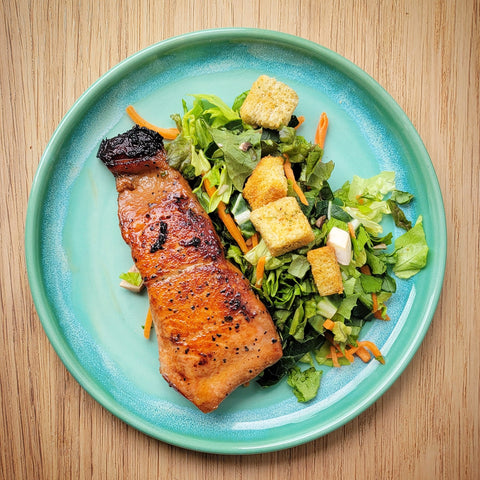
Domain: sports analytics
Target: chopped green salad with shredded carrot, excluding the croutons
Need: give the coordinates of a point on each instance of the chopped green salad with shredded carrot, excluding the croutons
(216, 149)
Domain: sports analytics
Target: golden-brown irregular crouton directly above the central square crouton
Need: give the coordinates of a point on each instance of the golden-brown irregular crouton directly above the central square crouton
(267, 182)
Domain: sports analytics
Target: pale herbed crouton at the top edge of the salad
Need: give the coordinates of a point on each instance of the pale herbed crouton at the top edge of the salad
(269, 103)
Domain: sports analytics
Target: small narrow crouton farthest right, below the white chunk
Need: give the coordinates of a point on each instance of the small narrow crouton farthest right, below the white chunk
(325, 270)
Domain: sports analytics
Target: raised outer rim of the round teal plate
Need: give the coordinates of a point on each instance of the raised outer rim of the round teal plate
(33, 258)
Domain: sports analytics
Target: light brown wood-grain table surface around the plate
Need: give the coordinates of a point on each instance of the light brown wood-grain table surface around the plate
(426, 55)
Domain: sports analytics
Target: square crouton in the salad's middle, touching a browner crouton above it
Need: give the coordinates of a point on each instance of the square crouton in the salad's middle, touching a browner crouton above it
(282, 225)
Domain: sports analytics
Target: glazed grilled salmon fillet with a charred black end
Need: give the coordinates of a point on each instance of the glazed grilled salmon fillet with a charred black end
(213, 333)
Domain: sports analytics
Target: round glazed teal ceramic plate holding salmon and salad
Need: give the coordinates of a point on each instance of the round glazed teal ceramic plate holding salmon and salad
(75, 252)
